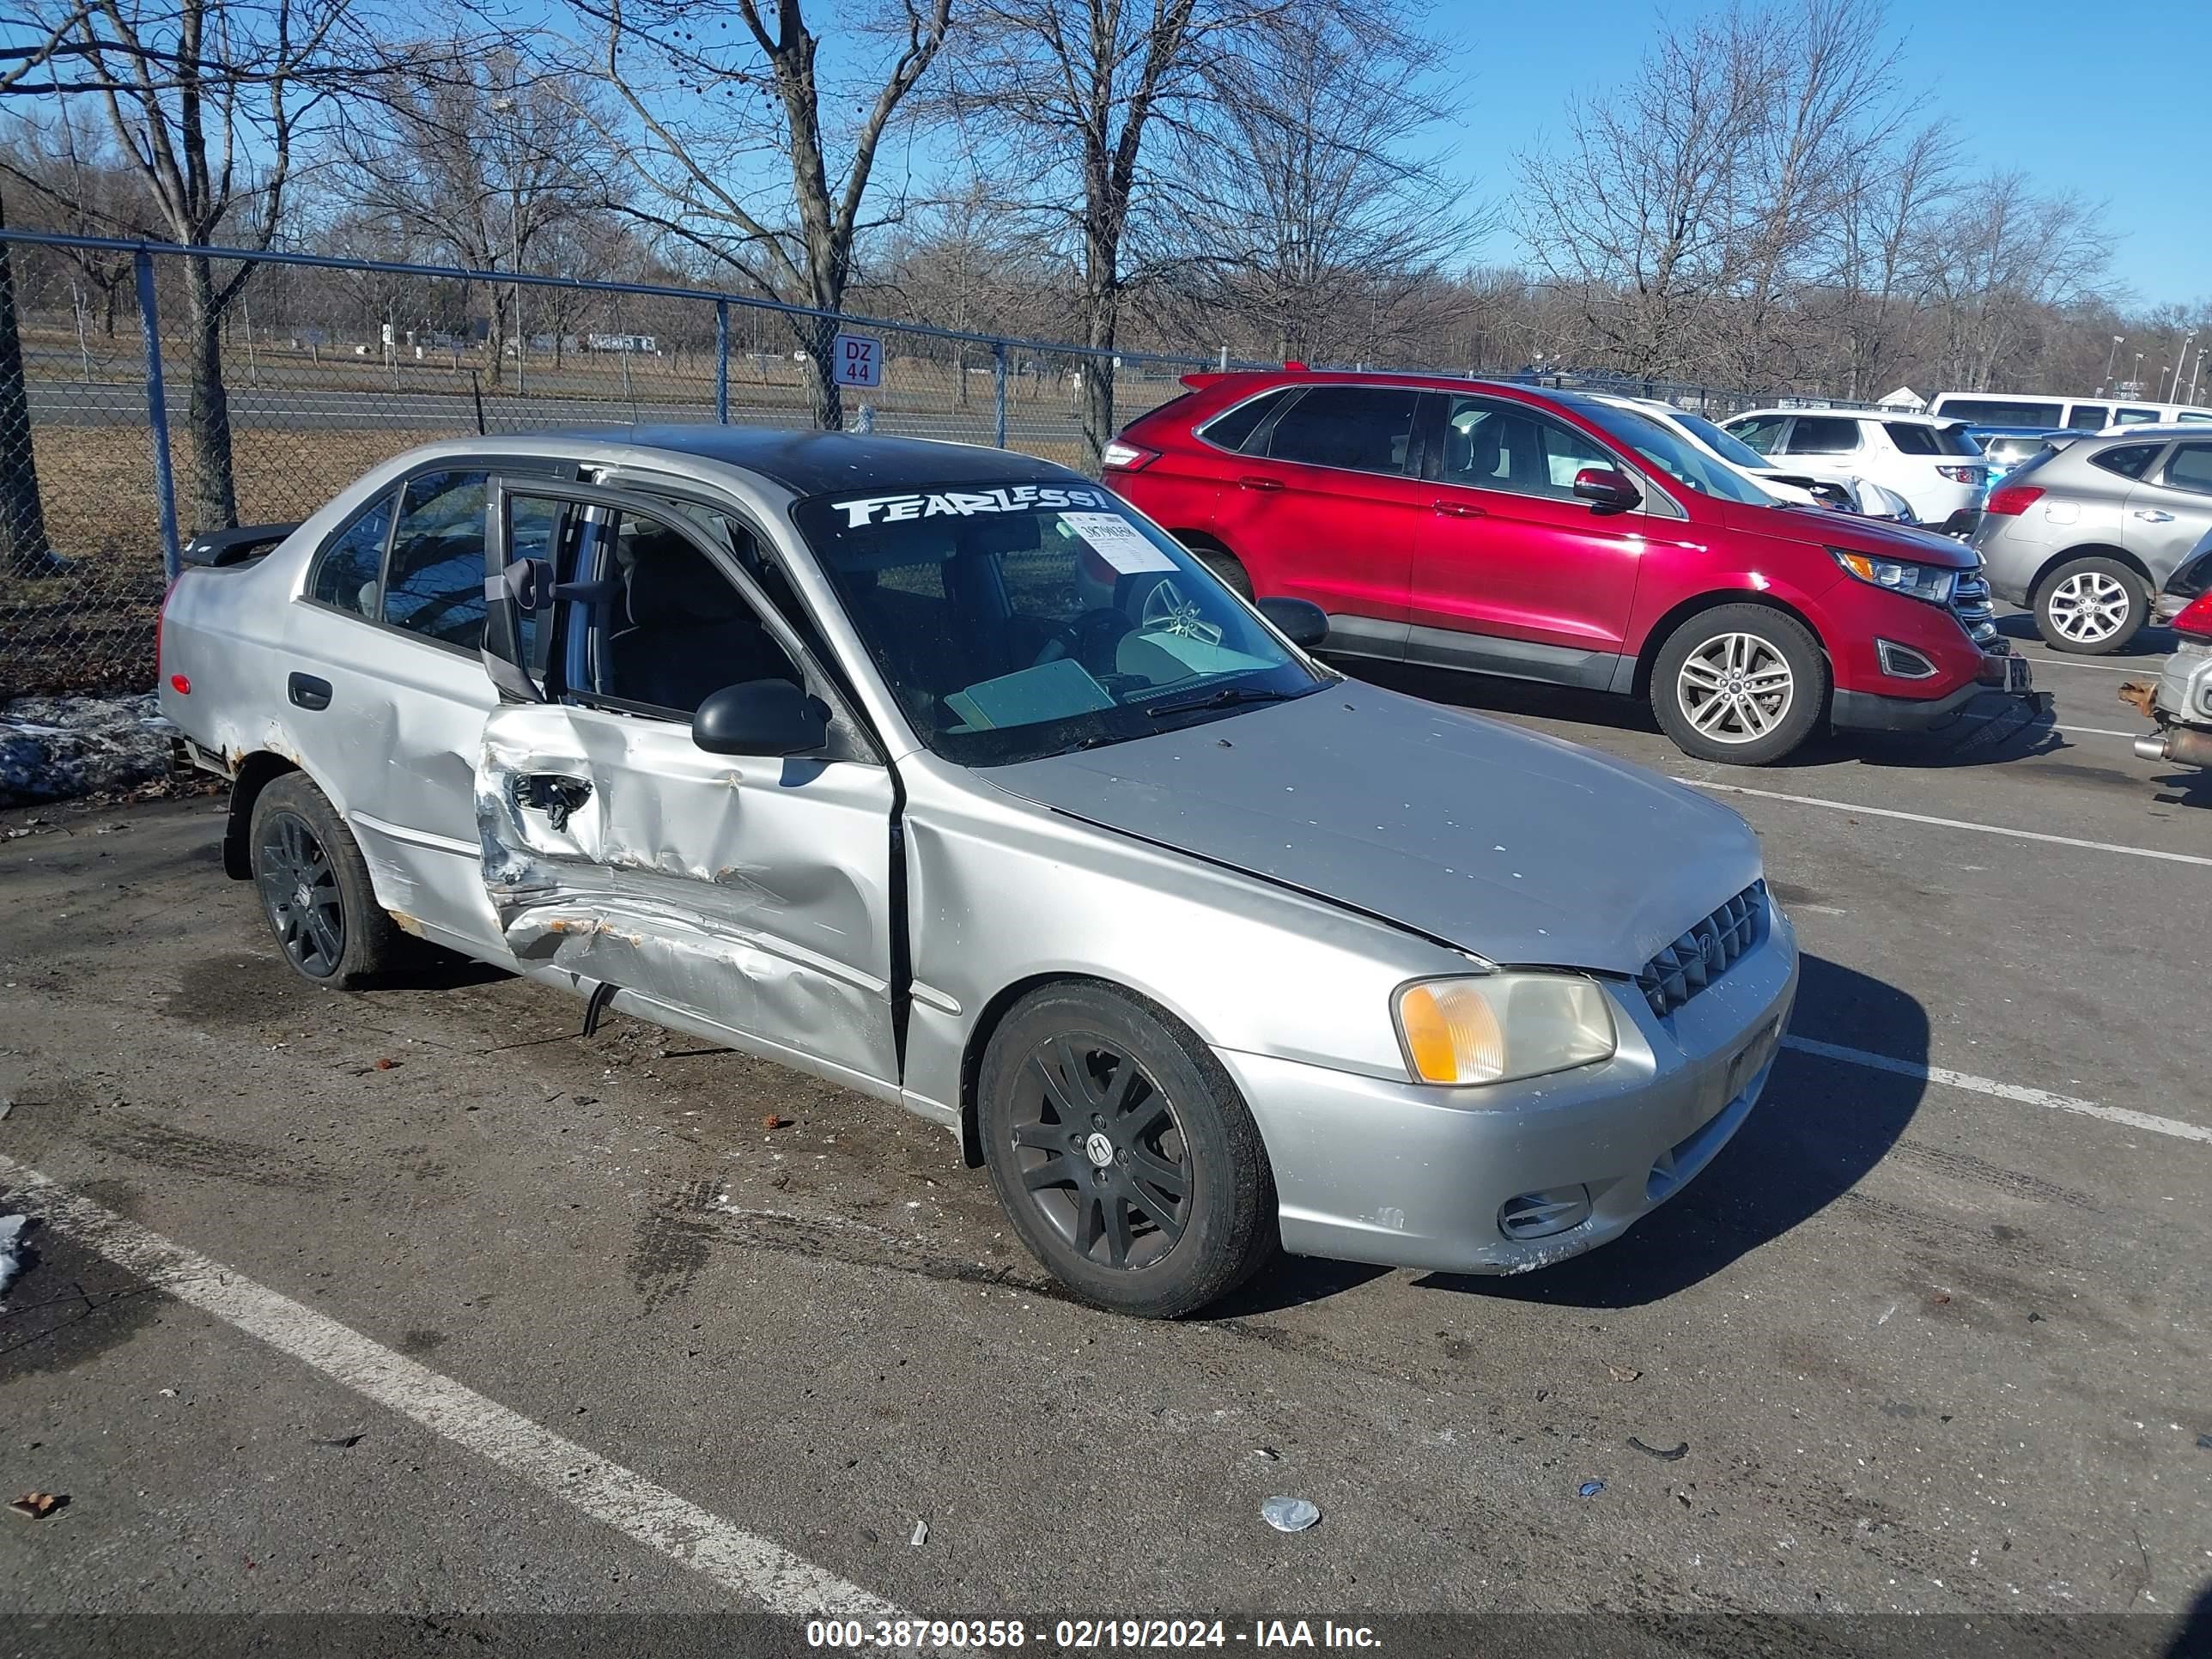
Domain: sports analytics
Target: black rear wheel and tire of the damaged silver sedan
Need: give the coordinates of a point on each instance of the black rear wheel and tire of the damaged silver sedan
(315, 888)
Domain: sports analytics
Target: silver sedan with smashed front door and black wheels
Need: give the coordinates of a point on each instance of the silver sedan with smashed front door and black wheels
(943, 775)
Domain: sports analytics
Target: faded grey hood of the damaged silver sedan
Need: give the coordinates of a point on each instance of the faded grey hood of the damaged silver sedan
(1501, 842)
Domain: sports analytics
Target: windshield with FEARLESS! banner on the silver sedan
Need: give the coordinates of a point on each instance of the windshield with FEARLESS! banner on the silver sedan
(1039, 618)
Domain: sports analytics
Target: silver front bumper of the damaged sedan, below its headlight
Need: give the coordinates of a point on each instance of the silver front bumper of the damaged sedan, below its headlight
(1415, 1178)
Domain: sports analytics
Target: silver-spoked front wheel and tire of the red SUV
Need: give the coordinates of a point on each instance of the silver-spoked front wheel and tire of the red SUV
(1742, 682)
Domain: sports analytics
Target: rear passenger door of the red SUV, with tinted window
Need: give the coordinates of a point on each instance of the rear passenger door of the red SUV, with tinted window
(1333, 508)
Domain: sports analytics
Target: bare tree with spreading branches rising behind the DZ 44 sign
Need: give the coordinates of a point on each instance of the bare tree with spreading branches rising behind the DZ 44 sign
(700, 116)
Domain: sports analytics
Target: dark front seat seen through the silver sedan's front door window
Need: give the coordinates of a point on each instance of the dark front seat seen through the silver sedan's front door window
(691, 634)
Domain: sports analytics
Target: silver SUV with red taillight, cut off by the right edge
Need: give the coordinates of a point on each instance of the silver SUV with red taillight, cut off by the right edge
(2087, 534)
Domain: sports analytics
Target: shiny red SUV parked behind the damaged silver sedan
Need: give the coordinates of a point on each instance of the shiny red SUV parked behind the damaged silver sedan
(1552, 536)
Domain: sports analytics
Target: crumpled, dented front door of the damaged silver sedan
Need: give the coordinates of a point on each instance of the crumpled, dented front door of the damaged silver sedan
(740, 897)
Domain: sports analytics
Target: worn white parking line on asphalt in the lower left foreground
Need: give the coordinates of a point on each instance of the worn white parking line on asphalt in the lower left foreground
(623, 1499)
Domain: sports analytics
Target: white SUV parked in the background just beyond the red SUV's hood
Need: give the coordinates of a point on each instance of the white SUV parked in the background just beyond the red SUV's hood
(1932, 463)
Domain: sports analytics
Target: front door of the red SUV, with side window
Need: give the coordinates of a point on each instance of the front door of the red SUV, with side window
(1512, 572)
